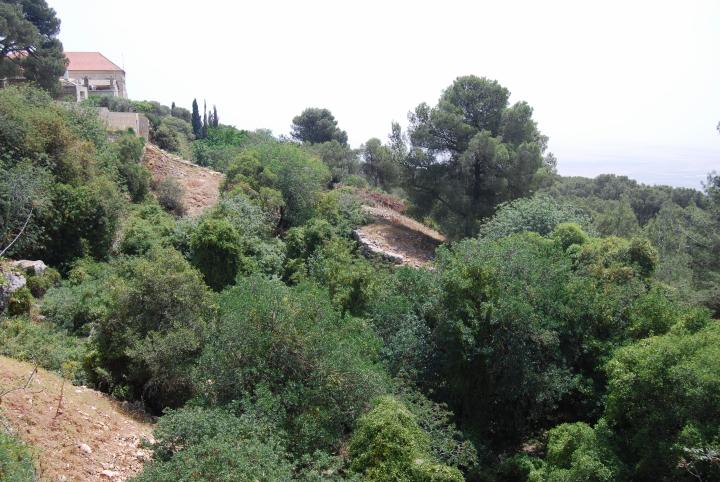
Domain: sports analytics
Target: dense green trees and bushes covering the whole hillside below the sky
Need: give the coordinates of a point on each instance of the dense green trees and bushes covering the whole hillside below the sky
(565, 334)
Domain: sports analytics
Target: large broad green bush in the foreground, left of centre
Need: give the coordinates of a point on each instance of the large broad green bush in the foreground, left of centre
(316, 369)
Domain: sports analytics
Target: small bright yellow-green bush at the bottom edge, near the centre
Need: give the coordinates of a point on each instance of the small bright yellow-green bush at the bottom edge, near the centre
(388, 445)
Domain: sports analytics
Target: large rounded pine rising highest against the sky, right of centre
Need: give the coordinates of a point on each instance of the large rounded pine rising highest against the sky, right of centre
(471, 152)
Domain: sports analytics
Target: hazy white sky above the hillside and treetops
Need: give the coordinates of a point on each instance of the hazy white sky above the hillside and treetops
(631, 87)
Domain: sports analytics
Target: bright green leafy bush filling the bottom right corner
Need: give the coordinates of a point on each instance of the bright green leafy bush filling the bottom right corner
(661, 404)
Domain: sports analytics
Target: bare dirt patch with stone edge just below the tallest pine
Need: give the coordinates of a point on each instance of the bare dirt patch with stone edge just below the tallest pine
(397, 237)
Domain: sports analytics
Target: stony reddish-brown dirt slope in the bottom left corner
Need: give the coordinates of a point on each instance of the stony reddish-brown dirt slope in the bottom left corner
(90, 438)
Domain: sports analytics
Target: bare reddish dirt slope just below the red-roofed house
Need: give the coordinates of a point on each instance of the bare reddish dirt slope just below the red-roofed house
(202, 185)
